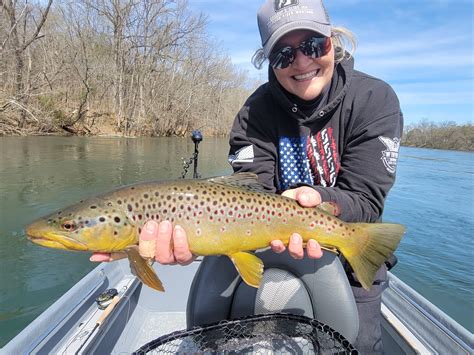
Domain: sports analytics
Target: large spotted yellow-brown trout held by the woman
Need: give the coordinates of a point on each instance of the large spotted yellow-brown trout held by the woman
(227, 215)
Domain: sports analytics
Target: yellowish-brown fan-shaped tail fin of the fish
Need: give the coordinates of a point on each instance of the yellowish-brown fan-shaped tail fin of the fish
(375, 242)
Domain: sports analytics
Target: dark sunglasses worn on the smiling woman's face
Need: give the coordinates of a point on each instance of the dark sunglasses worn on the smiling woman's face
(314, 47)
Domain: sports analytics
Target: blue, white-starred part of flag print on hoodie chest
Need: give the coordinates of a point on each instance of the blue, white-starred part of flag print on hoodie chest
(293, 162)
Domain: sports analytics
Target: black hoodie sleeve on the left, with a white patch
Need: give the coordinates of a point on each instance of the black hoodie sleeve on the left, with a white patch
(251, 144)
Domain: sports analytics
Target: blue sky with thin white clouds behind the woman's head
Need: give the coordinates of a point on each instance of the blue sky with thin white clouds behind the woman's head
(423, 48)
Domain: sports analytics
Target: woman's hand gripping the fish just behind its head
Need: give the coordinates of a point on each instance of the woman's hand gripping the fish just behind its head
(158, 241)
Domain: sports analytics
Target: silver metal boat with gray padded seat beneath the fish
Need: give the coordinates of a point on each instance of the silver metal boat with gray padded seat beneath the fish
(110, 311)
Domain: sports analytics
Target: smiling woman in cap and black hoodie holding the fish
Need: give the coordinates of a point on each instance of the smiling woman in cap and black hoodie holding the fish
(317, 131)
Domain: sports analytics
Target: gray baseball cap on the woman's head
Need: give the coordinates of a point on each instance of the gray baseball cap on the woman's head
(278, 17)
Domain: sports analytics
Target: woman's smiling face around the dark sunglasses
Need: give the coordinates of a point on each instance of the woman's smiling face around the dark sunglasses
(305, 77)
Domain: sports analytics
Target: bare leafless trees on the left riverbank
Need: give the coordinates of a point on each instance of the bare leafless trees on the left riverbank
(114, 67)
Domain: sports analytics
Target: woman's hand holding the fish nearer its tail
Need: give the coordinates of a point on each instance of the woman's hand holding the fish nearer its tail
(306, 197)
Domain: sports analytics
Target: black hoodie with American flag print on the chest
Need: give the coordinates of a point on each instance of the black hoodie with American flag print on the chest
(345, 146)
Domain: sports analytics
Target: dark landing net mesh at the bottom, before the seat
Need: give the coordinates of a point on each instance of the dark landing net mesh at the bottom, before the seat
(262, 334)
